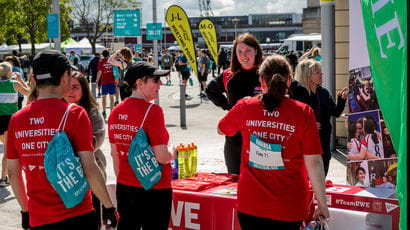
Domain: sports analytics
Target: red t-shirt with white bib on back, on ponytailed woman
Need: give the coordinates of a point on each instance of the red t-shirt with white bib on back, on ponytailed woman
(281, 194)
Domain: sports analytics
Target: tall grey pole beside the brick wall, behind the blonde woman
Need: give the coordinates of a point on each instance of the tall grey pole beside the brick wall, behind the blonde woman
(328, 55)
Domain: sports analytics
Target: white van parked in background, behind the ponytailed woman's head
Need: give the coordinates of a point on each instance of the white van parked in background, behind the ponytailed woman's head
(300, 42)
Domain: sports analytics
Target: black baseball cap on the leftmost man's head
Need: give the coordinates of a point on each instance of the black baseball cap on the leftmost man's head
(50, 64)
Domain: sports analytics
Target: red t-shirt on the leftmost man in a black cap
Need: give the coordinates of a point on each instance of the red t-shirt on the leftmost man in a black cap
(29, 132)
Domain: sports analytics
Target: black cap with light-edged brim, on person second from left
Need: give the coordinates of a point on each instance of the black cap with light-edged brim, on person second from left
(142, 69)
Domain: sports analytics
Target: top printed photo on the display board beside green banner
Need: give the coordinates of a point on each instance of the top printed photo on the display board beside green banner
(362, 95)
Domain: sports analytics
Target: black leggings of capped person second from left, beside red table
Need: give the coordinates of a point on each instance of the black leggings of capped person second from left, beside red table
(138, 208)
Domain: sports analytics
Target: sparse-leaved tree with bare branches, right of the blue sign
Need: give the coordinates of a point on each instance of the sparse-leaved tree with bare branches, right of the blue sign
(95, 16)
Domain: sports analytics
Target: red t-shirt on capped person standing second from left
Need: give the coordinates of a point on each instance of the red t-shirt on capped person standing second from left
(123, 124)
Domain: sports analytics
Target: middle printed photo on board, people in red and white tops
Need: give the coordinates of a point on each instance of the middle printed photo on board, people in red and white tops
(364, 136)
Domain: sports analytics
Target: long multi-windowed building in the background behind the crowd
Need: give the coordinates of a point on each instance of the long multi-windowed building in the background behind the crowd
(267, 28)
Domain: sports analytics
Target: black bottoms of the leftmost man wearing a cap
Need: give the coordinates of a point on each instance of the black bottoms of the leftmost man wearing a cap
(83, 222)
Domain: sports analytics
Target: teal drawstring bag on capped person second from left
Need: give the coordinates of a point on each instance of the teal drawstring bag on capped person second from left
(142, 158)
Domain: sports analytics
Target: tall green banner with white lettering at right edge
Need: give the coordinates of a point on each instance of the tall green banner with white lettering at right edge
(385, 23)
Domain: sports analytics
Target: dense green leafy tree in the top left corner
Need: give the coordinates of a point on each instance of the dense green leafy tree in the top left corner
(27, 19)
